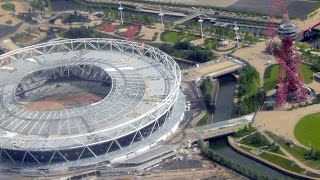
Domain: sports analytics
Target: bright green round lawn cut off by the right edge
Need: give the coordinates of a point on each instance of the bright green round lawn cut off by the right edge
(307, 130)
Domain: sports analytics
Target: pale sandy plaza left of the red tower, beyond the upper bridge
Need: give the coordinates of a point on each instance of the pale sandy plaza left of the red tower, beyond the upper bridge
(256, 57)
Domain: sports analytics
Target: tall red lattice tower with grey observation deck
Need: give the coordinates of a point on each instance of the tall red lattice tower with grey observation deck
(290, 84)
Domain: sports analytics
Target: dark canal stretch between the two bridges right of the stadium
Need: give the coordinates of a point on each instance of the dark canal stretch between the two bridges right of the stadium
(224, 103)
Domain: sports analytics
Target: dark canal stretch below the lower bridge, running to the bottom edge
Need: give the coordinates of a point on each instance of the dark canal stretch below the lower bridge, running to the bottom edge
(222, 147)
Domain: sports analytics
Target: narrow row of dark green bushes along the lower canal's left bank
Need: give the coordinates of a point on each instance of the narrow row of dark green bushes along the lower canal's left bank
(212, 155)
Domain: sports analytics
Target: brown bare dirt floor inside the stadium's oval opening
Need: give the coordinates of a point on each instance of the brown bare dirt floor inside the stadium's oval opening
(62, 101)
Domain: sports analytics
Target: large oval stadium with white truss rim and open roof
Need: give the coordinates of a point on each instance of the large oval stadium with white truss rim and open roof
(71, 102)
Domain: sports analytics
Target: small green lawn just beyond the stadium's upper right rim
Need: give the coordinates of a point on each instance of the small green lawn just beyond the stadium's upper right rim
(174, 37)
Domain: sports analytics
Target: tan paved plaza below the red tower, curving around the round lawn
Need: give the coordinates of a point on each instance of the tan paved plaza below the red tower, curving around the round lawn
(283, 122)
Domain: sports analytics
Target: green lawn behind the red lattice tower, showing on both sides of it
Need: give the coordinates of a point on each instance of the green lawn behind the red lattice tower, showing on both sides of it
(271, 75)
